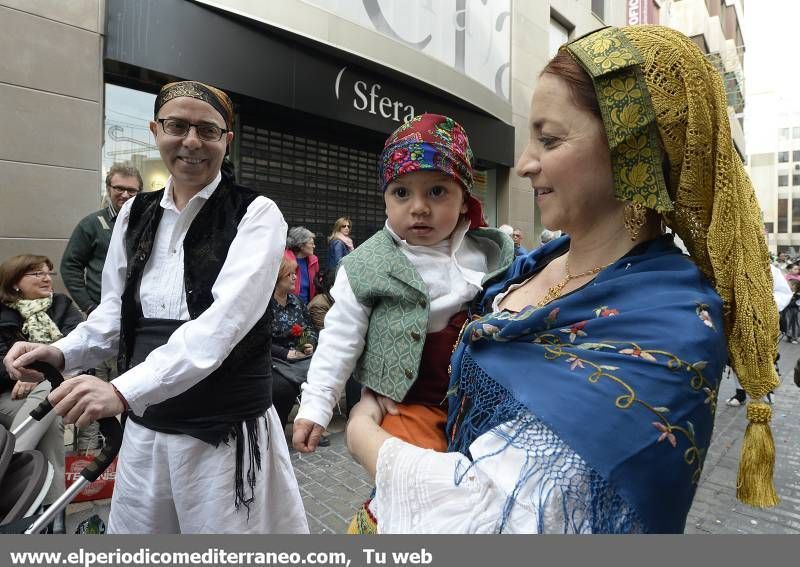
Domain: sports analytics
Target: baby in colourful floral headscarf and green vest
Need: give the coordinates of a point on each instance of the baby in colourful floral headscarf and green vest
(400, 296)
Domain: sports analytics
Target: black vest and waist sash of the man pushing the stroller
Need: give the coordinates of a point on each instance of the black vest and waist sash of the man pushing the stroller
(240, 389)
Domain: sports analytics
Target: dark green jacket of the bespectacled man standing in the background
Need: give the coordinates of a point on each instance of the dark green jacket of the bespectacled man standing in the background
(82, 263)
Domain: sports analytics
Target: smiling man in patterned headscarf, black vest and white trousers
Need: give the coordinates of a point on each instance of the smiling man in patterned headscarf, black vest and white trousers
(184, 283)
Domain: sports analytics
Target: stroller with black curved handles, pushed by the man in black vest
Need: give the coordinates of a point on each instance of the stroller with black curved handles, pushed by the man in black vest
(25, 477)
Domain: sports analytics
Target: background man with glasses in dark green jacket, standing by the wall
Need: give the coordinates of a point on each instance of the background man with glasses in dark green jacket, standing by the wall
(82, 263)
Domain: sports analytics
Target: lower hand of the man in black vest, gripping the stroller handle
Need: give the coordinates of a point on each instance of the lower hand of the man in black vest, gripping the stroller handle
(85, 399)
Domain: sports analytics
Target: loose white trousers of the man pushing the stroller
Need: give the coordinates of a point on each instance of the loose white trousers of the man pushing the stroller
(178, 484)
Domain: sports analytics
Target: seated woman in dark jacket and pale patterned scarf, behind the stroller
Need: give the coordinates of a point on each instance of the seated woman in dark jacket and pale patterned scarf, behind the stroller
(30, 311)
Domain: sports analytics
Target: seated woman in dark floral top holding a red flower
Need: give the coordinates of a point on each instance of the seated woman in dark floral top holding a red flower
(293, 341)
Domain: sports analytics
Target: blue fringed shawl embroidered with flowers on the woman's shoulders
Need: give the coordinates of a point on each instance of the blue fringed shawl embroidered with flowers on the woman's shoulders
(625, 371)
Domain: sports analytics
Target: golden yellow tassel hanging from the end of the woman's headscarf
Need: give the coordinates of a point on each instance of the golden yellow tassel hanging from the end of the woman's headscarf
(757, 462)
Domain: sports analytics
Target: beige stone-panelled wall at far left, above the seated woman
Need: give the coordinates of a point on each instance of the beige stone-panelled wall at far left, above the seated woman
(51, 89)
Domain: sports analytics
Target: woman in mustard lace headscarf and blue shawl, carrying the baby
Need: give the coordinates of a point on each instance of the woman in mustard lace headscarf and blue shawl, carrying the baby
(583, 399)
